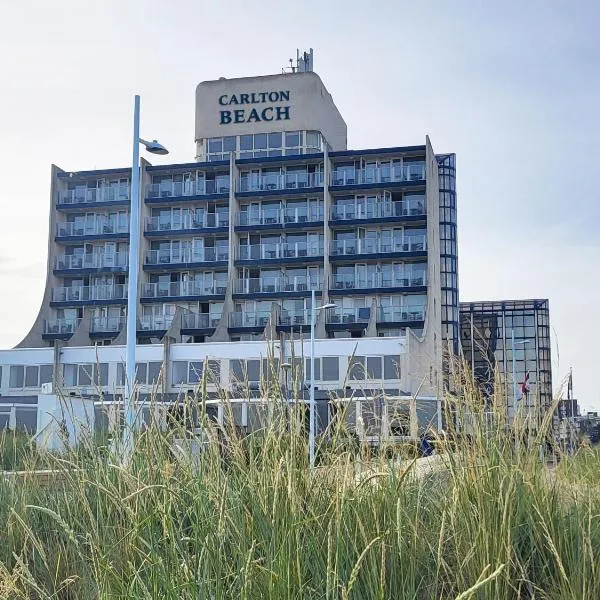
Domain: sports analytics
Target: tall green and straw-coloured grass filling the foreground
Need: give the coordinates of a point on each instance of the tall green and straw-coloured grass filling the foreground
(246, 518)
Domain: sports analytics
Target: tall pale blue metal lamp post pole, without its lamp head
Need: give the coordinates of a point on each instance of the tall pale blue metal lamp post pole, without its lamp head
(132, 284)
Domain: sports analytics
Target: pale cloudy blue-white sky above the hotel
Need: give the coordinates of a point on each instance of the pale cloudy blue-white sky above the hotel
(512, 87)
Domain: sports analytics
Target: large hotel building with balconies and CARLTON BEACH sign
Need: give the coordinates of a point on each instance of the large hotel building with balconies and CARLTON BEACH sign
(232, 243)
